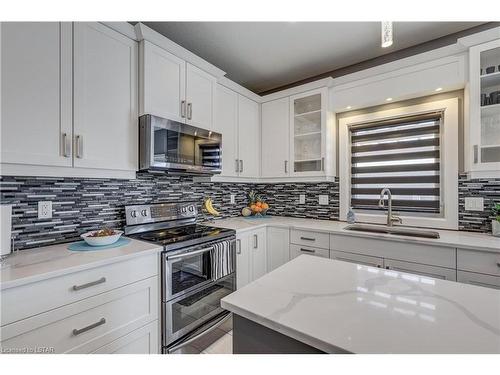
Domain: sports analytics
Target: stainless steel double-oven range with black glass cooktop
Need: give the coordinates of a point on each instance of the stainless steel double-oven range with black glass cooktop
(197, 269)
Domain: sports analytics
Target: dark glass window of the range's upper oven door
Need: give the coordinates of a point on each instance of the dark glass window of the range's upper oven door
(190, 271)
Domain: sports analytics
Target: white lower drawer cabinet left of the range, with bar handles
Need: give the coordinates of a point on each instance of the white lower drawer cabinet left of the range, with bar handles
(107, 314)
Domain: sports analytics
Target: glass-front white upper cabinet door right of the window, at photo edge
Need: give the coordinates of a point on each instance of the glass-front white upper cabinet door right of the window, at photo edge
(485, 106)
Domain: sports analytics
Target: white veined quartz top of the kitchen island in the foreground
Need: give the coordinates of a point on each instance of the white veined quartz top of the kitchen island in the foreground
(332, 305)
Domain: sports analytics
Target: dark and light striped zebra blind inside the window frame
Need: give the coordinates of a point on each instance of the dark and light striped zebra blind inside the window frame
(402, 154)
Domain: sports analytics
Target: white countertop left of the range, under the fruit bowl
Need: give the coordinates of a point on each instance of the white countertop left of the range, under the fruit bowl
(31, 265)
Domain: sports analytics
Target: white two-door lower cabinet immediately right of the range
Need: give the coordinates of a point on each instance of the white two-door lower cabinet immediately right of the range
(251, 256)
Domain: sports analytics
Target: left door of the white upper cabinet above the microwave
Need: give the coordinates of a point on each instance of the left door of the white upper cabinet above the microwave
(162, 84)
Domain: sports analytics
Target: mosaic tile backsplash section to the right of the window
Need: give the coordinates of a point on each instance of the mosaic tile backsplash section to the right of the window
(489, 189)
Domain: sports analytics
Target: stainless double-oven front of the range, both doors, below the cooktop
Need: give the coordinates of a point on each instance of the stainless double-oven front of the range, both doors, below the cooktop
(193, 287)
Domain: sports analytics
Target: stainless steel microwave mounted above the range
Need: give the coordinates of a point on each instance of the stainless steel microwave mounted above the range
(173, 146)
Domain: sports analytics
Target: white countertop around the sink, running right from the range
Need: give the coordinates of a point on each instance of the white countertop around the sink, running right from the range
(460, 239)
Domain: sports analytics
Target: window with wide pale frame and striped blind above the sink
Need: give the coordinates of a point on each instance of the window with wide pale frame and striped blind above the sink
(412, 150)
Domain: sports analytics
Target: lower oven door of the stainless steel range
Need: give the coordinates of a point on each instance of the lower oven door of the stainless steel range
(200, 305)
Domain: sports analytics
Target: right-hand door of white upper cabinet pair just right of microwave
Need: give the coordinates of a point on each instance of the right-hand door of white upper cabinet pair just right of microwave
(248, 137)
